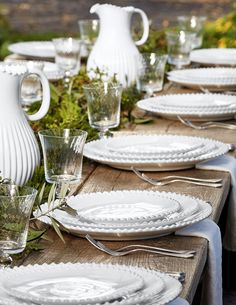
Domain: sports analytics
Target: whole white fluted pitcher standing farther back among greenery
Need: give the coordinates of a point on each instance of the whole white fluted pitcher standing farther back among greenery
(115, 51)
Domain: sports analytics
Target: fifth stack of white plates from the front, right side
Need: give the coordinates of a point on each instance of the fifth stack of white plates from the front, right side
(215, 78)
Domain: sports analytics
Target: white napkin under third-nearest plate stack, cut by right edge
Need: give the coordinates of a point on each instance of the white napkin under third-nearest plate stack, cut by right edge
(228, 164)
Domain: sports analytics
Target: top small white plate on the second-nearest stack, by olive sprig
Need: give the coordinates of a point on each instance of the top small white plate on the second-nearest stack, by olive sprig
(123, 206)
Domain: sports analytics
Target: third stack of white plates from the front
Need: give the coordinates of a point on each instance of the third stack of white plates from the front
(154, 152)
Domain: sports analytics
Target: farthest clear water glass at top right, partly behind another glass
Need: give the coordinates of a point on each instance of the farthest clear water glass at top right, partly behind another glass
(195, 25)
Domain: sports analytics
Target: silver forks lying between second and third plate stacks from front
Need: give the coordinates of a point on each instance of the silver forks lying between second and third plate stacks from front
(172, 179)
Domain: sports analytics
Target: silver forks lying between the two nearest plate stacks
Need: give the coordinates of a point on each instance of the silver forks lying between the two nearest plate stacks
(122, 251)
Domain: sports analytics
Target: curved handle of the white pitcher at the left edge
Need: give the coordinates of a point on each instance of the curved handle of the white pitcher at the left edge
(46, 95)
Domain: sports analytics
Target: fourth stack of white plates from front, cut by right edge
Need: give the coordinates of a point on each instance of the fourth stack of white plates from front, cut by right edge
(194, 106)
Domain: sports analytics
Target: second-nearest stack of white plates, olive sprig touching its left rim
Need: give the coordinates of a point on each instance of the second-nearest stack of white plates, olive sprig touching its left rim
(128, 215)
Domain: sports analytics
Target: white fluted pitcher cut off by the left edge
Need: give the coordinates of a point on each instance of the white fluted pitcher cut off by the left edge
(19, 151)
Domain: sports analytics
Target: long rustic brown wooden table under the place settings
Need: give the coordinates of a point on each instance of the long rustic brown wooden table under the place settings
(97, 178)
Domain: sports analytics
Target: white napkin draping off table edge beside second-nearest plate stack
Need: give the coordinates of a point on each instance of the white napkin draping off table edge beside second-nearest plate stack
(212, 286)
